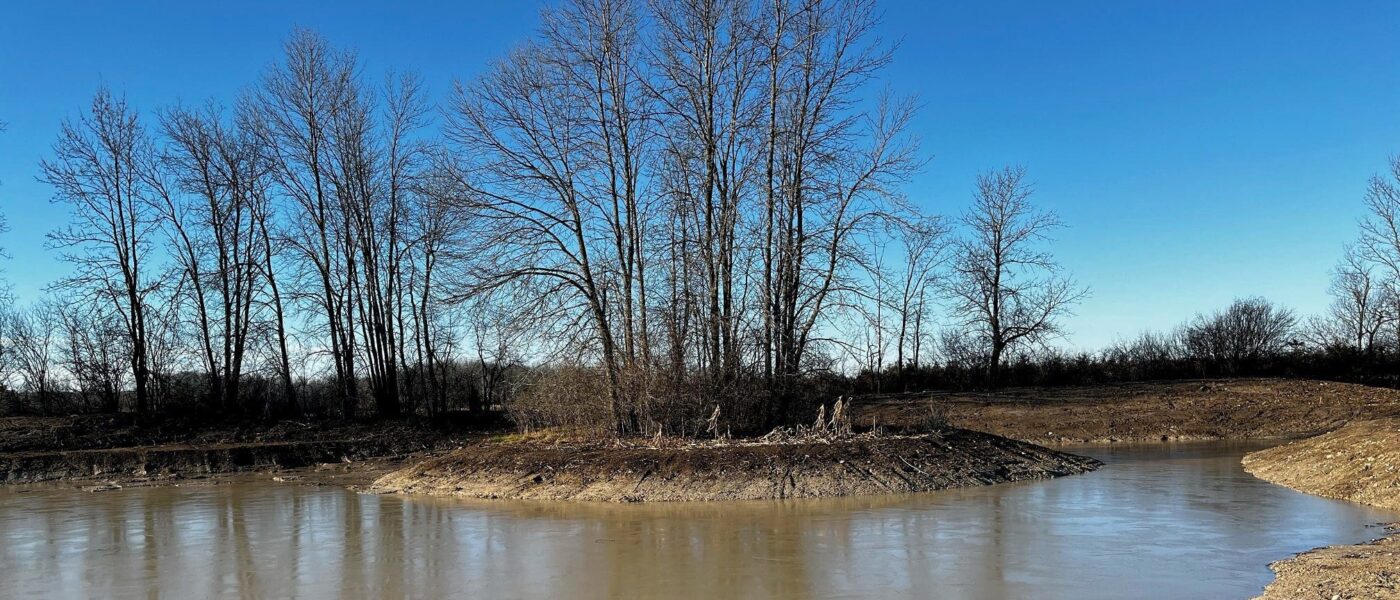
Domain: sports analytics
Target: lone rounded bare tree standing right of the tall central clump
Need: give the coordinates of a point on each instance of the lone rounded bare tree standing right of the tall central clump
(1006, 287)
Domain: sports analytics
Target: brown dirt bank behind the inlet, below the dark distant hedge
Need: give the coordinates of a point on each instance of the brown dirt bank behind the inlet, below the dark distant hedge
(1223, 409)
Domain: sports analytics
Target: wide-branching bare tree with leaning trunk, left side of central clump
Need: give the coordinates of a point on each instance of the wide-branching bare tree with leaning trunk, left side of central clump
(552, 134)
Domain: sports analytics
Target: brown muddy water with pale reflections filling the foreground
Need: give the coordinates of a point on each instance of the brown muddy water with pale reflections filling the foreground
(1160, 521)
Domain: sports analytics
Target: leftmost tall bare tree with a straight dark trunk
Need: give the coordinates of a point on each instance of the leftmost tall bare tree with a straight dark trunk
(100, 170)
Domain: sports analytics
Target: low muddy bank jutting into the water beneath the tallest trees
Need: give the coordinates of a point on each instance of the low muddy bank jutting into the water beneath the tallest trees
(843, 468)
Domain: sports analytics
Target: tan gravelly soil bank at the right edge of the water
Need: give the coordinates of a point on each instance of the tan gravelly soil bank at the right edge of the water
(1360, 464)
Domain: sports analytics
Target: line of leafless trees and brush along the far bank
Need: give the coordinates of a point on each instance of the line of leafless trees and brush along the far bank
(645, 213)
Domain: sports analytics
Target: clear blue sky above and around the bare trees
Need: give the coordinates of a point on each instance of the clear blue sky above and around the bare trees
(1199, 150)
